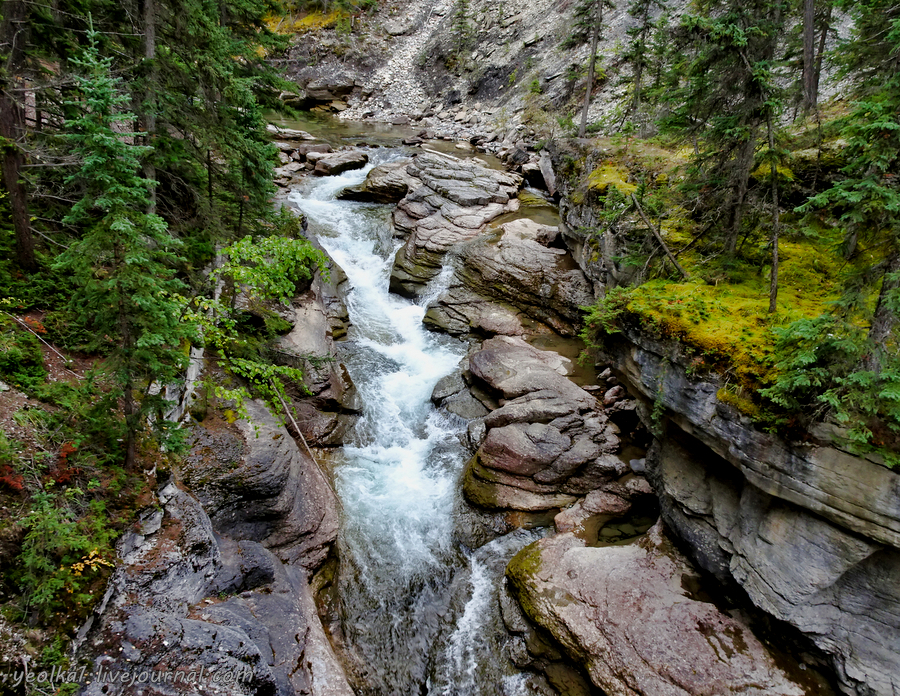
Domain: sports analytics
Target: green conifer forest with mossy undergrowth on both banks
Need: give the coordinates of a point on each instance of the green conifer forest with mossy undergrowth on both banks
(137, 177)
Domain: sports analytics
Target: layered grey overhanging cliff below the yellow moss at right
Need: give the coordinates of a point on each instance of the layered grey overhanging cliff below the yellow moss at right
(809, 531)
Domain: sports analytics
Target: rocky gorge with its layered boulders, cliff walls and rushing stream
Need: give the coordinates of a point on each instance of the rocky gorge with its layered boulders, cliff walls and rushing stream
(649, 490)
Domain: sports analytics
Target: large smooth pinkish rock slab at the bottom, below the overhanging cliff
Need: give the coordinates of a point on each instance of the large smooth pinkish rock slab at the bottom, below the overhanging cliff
(624, 613)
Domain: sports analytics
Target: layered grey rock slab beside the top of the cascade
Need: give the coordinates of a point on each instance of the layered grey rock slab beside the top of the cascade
(450, 201)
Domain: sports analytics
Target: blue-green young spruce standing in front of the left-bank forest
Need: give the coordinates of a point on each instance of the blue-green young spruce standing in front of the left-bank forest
(122, 264)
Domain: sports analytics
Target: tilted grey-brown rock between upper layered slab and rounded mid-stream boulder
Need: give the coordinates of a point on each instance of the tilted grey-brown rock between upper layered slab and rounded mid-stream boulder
(502, 283)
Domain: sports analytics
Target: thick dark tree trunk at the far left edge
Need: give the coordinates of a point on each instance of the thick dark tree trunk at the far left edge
(12, 126)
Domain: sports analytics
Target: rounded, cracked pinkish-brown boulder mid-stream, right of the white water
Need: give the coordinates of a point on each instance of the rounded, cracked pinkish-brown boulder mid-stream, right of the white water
(546, 442)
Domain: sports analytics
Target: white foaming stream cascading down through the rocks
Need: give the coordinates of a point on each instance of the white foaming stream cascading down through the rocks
(420, 612)
